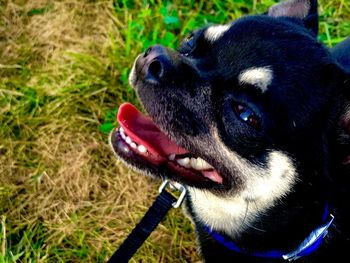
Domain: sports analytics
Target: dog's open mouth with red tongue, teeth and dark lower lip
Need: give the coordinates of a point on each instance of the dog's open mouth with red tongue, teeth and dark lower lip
(141, 143)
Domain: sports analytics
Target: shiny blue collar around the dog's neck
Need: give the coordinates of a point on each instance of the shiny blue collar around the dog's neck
(306, 247)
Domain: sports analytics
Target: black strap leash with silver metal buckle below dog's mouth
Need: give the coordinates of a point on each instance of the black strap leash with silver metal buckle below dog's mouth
(160, 207)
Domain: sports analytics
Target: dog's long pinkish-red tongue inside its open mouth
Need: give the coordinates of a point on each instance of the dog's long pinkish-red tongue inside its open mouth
(142, 130)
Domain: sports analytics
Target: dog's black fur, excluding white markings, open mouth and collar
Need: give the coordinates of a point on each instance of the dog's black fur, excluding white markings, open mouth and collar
(191, 90)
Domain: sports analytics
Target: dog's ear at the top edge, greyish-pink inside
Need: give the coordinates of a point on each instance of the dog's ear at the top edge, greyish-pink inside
(306, 10)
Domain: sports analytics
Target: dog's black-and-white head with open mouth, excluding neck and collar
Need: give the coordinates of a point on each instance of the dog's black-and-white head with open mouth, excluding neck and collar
(240, 109)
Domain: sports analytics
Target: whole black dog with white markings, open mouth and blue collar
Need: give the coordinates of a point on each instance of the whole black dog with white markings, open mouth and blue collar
(251, 116)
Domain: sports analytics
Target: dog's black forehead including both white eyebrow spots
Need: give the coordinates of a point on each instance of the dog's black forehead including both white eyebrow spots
(255, 50)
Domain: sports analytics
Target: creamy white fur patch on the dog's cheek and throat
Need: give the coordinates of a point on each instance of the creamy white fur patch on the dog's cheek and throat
(264, 187)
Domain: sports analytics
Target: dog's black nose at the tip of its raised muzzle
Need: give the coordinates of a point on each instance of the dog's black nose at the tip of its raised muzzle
(157, 63)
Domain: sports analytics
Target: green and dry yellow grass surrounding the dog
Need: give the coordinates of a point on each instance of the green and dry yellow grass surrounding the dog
(63, 73)
